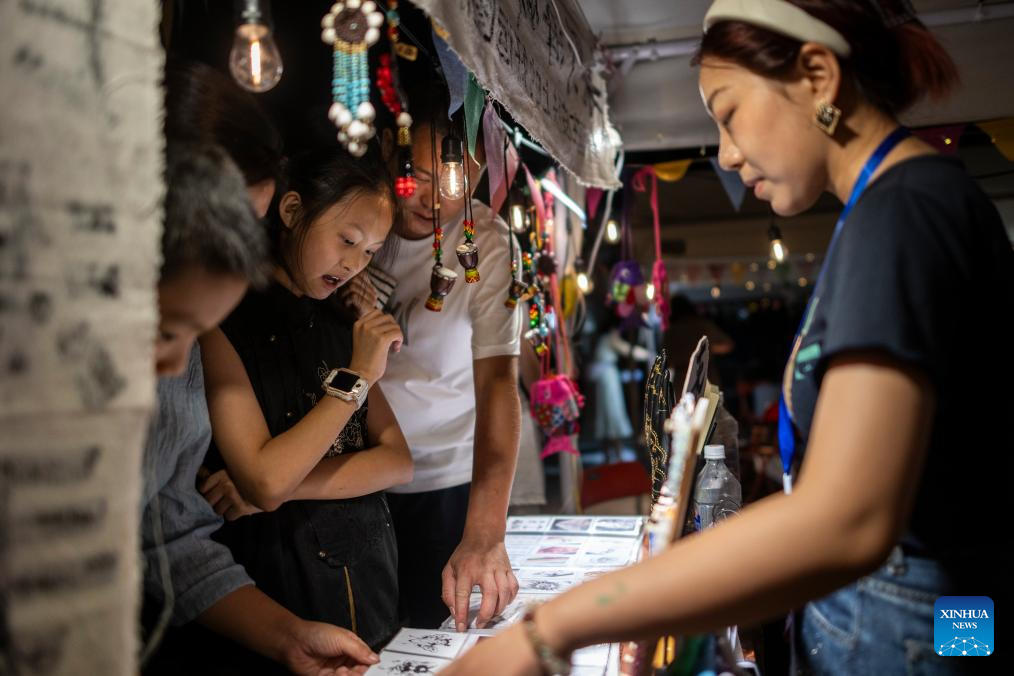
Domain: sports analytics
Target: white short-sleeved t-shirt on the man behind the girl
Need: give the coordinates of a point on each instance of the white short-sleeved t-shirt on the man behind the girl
(429, 384)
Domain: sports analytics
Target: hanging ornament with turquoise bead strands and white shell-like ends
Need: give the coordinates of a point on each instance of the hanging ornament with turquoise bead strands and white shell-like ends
(351, 27)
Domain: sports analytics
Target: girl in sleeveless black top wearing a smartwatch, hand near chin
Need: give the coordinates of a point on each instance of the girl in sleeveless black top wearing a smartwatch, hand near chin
(303, 455)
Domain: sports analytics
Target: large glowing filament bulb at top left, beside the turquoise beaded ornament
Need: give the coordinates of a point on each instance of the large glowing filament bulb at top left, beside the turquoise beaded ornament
(254, 60)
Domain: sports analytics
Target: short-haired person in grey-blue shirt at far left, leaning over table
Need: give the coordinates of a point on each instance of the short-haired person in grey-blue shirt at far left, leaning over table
(213, 248)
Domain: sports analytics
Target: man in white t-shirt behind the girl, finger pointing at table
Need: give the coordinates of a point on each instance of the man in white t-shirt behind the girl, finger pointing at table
(455, 390)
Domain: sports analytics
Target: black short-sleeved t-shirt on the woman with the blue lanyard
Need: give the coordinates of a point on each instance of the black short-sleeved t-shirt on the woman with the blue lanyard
(924, 272)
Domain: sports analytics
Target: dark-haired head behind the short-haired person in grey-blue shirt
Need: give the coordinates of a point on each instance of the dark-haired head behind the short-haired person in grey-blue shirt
(204, 105)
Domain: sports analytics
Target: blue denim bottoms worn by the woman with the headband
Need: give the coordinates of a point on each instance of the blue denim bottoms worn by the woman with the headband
(880, 625)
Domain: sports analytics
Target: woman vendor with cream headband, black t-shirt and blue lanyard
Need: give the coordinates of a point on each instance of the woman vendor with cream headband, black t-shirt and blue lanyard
(893, 433)
